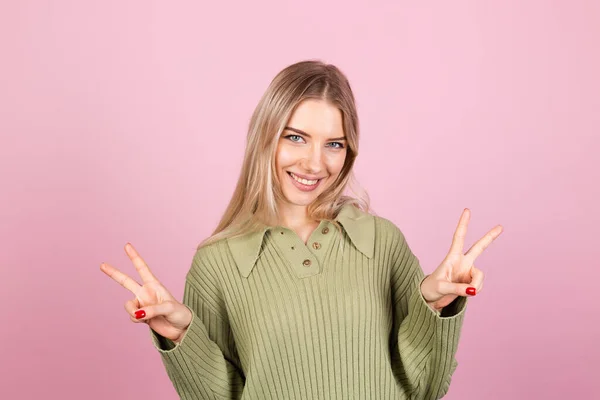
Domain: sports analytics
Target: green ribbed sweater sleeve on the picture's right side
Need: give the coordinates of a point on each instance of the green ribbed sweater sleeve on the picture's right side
(426, 342)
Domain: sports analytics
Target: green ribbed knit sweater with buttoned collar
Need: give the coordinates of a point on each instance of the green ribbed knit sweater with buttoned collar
(341, 317)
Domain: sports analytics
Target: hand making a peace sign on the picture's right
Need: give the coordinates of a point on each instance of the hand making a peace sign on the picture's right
(456, 275)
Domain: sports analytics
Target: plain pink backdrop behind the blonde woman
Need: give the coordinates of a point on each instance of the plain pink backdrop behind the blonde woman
(126, 120)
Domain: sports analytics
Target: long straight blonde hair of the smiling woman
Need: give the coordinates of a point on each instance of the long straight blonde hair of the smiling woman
(253, 205)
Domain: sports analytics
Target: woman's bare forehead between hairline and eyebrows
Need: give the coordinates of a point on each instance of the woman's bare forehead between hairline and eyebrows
(317, 117)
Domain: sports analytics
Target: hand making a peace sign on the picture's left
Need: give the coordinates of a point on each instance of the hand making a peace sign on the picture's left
(157, 307)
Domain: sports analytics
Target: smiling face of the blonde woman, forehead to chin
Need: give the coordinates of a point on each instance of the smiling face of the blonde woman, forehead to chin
(311, 151)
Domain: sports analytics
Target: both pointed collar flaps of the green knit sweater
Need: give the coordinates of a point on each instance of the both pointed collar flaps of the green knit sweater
(359, 226)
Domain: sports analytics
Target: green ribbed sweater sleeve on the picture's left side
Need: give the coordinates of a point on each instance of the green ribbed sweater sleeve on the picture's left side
(205, 363)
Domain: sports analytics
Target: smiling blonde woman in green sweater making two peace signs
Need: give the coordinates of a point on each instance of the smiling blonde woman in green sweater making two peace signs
(301, 292)
